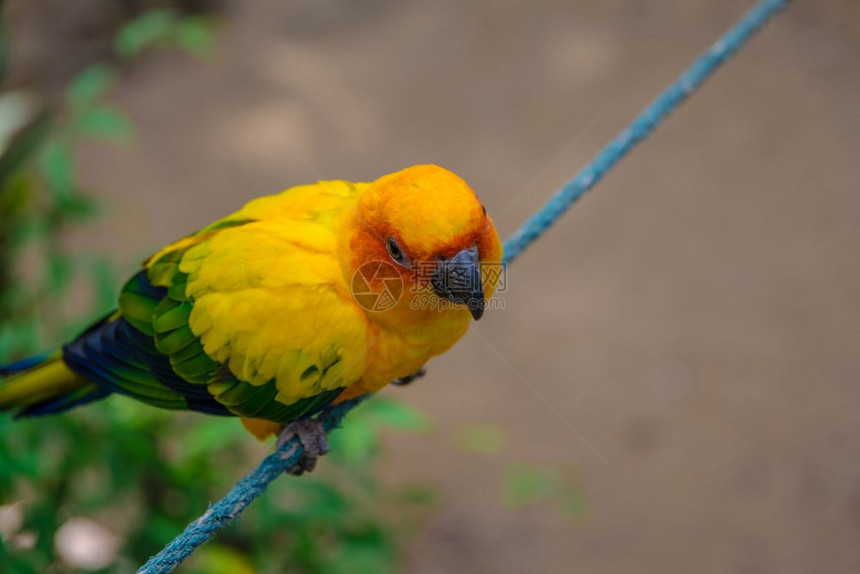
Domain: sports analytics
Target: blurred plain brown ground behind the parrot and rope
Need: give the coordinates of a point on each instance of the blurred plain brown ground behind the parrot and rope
(696, 318)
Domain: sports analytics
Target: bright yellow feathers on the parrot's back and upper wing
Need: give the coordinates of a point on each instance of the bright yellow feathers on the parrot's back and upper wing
(270, 298)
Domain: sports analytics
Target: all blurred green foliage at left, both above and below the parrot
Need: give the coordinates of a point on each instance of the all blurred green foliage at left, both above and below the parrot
(141, 474)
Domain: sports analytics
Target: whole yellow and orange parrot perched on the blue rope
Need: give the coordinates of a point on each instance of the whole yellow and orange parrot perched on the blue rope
(300, 300)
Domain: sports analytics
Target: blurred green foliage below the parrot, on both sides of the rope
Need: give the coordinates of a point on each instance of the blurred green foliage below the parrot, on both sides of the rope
(144, 474)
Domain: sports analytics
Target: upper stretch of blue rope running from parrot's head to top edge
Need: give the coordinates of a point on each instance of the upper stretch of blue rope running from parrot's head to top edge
(642, 126)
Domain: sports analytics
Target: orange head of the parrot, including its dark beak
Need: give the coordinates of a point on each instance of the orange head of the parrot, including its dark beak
(425, 226)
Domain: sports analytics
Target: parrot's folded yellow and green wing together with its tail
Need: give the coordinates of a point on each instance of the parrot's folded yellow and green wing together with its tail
(244, 317)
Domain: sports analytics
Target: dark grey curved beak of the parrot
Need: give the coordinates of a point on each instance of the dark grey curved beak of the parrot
(459, 280)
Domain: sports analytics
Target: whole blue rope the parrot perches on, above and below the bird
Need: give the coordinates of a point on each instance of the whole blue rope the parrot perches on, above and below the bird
(254, 484)
